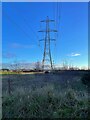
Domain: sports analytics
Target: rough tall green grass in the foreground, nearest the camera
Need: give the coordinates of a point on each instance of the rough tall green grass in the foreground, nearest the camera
(45, 102)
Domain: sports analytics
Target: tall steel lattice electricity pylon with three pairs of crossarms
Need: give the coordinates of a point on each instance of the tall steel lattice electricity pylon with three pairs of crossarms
(47, 59)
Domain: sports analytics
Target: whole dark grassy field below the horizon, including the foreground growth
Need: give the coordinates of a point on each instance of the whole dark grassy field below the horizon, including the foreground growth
(59, 95)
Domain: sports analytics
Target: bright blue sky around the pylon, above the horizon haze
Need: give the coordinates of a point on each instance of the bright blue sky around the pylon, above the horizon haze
(21, 23)
